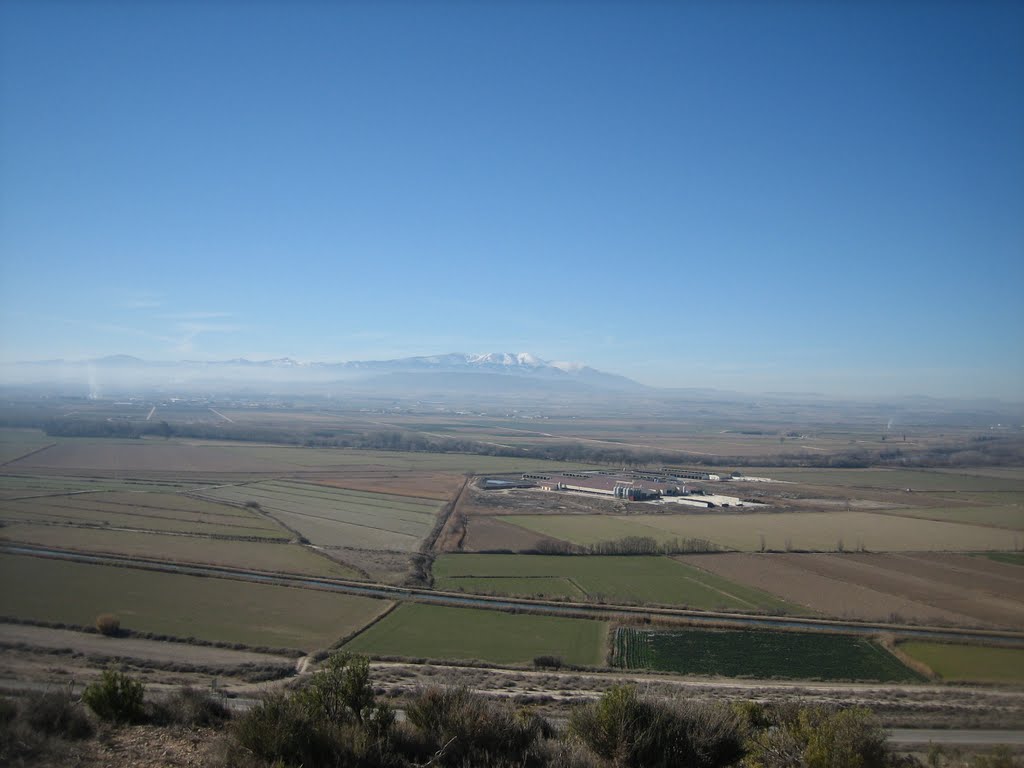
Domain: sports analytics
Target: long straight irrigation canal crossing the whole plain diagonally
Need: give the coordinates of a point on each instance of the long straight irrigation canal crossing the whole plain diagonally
(590, 611)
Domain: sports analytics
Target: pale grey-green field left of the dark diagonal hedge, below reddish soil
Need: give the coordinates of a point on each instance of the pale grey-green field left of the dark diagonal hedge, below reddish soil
(338, 518)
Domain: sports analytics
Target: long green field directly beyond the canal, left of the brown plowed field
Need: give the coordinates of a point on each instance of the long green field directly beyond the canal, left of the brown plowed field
(609, 579)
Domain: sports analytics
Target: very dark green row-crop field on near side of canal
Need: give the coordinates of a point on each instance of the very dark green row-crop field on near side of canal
(758, 654)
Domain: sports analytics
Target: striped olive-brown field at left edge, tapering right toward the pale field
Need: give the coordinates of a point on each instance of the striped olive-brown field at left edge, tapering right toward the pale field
(167, 513)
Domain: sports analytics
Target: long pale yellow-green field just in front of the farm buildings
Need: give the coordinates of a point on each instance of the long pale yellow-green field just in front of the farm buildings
(823, 532)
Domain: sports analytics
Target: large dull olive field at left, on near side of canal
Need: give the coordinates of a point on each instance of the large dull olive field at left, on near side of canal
(219, 610)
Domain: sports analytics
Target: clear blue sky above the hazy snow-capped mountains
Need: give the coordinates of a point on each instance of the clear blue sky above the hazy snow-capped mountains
(810, 197)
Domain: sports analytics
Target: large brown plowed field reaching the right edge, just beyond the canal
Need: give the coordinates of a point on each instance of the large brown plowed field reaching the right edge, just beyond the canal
(931, 588)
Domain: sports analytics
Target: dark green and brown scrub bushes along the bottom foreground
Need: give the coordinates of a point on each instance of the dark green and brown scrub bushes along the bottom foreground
(336, 721)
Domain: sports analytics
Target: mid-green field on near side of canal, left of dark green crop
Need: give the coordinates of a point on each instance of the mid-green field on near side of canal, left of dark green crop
(416, 630)
